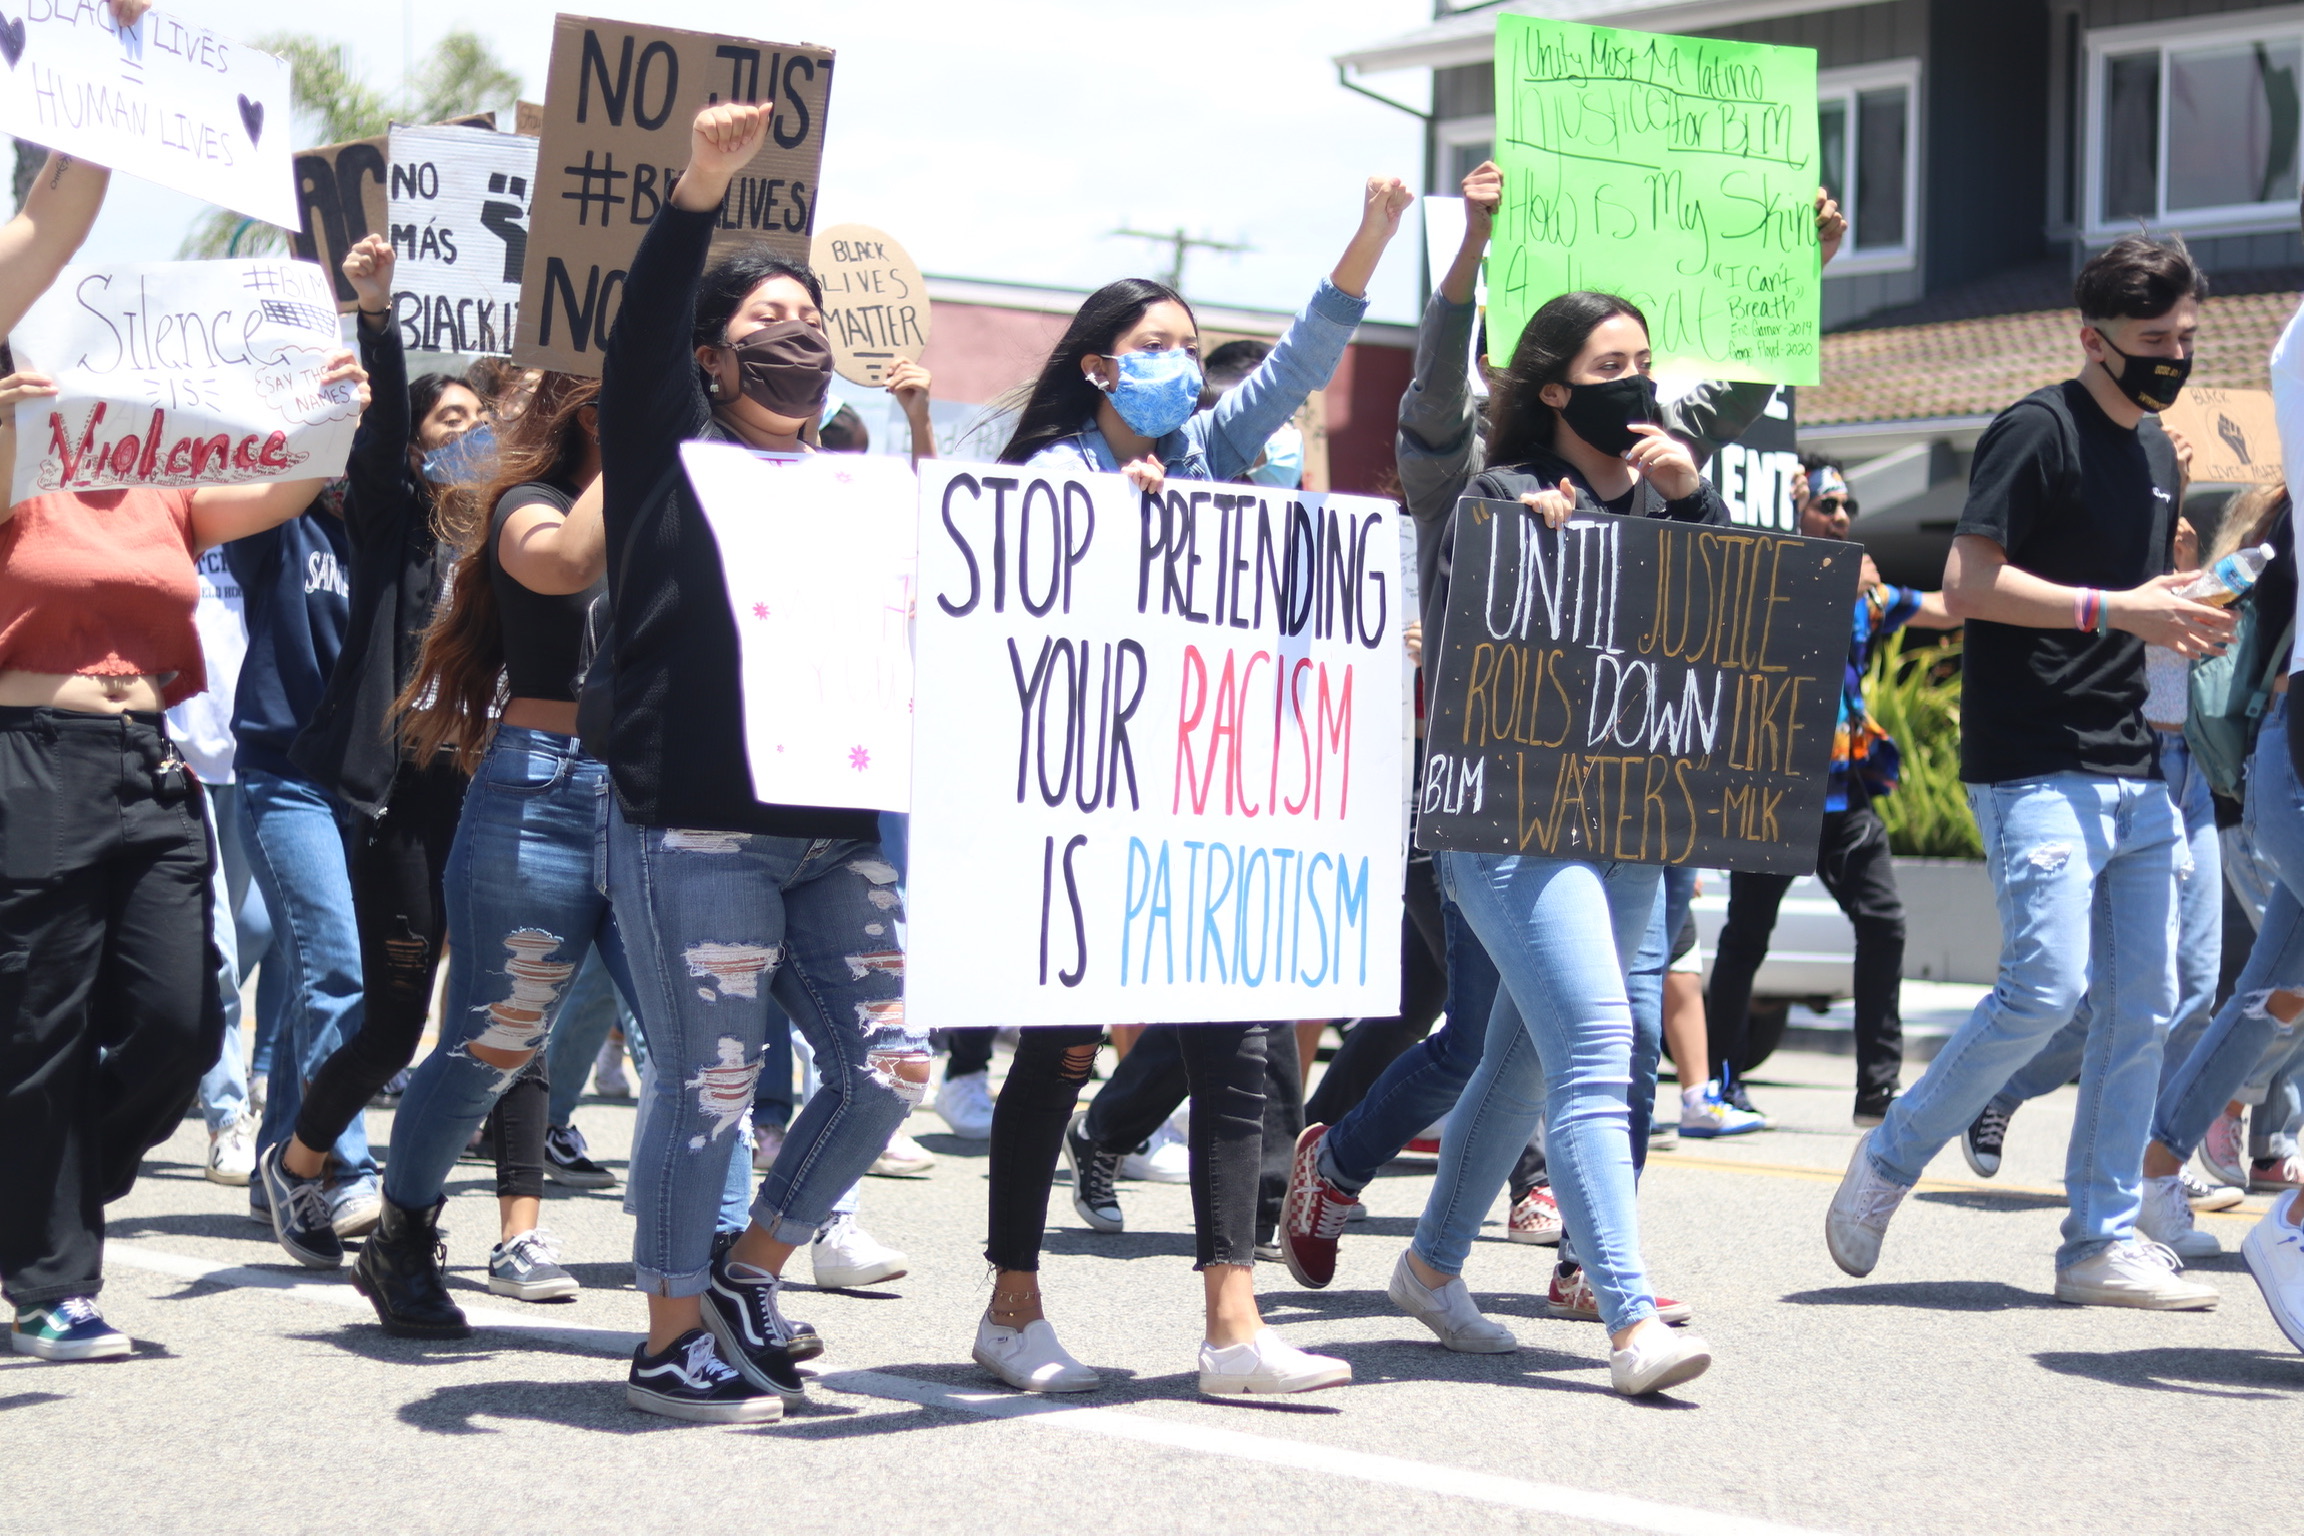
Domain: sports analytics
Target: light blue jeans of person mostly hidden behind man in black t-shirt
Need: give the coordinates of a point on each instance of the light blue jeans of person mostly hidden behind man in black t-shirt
(2199, 952)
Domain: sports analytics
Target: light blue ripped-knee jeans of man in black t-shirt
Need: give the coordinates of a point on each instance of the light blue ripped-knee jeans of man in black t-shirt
(2086, 872)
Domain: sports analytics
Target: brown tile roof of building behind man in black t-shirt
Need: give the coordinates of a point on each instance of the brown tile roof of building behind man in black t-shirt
(1978, 349)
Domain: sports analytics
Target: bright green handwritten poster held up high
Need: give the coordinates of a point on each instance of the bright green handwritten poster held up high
(1674, 172)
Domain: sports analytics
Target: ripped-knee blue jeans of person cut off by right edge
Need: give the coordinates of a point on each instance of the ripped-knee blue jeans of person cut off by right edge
(2245, 1040)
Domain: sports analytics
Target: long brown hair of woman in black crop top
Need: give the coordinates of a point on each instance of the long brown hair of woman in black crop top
(457, 678)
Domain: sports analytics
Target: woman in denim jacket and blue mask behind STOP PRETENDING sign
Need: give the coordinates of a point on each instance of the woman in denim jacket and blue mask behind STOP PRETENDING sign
(1121, 395)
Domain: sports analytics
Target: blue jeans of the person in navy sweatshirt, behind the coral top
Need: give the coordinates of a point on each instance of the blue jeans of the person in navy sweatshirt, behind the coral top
(294, 835)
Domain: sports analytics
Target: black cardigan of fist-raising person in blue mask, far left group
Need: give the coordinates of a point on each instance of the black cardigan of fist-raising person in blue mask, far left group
(397, 568)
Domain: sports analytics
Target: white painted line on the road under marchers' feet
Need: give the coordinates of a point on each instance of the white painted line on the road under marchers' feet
(328, 1288)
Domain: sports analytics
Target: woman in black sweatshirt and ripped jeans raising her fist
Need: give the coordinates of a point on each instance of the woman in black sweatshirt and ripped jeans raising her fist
(725, 899)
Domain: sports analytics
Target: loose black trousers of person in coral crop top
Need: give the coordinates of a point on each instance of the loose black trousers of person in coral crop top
(107, 980)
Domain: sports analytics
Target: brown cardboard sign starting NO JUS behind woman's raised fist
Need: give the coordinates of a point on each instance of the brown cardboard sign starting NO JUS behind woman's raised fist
(619, 107)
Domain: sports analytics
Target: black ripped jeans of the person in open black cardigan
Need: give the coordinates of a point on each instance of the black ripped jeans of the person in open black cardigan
(402, 918)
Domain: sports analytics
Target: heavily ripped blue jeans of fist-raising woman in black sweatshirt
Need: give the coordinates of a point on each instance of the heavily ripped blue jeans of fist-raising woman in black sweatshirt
(718, 922)
